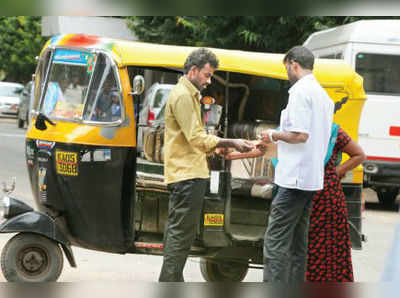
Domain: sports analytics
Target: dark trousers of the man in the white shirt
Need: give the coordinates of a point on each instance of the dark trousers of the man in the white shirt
(285, 241)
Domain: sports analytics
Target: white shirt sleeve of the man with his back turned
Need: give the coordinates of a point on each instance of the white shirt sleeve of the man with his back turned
(299, 113)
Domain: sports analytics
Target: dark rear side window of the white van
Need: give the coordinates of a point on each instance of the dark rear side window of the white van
(381, 73)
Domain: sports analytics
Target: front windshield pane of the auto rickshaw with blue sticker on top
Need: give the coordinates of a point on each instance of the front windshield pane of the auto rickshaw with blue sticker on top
(67, 84)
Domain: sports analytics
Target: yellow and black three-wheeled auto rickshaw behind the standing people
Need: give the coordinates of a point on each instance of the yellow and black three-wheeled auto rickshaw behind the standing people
(97, 175)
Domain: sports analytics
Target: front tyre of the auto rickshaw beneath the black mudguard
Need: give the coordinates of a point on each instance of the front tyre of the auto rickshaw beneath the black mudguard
(29, 257)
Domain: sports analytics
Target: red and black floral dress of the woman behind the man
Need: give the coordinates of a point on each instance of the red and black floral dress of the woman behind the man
(329, 245)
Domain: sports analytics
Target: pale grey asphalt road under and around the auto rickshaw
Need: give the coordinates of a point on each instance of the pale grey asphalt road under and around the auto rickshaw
(378, 225)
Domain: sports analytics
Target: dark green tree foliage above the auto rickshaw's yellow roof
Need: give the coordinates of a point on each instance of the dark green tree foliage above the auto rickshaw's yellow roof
(256, 33)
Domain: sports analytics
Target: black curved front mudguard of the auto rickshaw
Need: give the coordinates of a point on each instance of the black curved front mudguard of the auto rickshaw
(39, 223)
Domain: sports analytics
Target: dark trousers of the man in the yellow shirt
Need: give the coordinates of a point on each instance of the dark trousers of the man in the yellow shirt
(184, 210)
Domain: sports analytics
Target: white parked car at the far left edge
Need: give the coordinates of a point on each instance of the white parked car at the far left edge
(9, 97)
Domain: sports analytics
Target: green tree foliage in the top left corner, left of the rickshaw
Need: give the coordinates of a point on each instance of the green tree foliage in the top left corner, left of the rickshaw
(21, 42)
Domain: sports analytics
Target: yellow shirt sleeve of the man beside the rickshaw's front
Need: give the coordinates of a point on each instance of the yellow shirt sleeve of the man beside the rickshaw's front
(185, 114)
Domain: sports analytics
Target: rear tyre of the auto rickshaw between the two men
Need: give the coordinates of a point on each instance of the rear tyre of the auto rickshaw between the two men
(223, 270)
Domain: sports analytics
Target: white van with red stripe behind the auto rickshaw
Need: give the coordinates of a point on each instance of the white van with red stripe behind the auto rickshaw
(372, 47)
